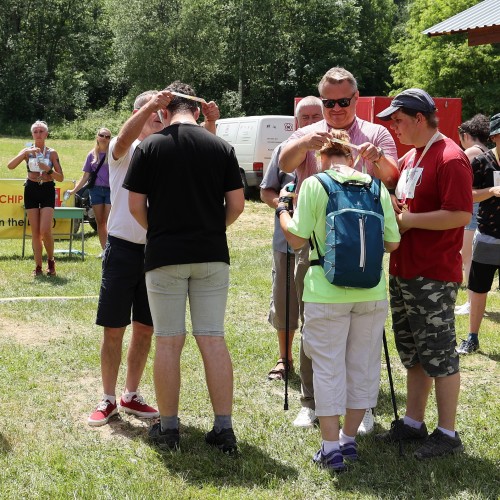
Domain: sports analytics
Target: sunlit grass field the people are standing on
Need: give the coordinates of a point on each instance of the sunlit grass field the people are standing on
(50, 380)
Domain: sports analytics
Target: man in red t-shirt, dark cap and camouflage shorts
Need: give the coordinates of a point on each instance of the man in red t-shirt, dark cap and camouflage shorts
(433, 203)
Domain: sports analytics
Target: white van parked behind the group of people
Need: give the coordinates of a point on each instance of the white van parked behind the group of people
(254, 139)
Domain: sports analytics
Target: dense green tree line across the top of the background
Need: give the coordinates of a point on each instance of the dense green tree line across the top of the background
(62, 59)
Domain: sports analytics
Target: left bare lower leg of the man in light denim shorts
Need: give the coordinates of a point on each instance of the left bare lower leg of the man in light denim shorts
(167, 373)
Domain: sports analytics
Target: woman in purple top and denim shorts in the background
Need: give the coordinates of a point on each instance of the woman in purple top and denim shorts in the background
(100, 192)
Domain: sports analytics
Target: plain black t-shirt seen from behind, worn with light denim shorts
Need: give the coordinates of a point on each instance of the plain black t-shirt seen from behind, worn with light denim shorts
(185, 172)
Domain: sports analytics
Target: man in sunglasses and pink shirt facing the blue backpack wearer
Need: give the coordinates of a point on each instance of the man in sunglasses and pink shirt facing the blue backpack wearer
(377, 156)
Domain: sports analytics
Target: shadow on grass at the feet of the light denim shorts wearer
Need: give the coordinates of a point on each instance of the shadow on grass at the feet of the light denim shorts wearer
(200, 464)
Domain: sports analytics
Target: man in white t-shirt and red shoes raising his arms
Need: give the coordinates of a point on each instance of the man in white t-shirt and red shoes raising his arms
(123, 289)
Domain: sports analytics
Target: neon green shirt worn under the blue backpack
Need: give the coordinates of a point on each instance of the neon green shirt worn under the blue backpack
(309, 217)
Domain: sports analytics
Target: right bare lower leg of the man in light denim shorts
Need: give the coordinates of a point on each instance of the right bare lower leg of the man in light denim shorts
(218, 372)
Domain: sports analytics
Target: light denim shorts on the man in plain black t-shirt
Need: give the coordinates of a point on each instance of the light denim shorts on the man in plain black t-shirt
(206, 284)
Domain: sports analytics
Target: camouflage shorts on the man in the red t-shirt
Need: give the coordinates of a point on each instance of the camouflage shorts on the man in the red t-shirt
(423, 321)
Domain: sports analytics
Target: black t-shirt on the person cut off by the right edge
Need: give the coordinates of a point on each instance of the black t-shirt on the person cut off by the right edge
(488, 216)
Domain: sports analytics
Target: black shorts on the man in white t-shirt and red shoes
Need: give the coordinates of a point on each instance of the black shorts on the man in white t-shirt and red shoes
(123, 285)
